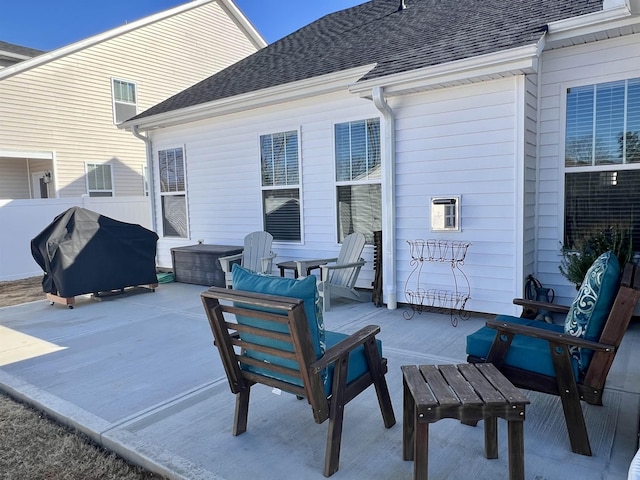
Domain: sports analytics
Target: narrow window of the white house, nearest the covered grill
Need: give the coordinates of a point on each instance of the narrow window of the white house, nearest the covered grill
(173, 192)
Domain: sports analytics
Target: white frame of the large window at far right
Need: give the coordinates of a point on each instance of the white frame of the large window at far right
(563, 169)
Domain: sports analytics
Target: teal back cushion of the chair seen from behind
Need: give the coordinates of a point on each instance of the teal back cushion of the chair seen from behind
(303, 289)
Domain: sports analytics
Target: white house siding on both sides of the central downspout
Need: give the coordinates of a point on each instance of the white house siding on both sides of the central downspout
(458, 141)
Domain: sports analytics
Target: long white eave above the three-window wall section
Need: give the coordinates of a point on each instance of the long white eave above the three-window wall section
(288, 92)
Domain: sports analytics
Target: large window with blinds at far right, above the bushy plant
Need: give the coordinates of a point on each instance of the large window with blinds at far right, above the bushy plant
(602, 160)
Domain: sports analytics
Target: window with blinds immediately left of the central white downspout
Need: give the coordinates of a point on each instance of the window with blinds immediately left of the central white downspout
(358, 178)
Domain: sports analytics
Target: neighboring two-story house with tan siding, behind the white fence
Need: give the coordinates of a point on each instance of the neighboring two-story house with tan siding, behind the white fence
(59, 110)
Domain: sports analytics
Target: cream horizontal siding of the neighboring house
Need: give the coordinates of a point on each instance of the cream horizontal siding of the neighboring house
(77, 122)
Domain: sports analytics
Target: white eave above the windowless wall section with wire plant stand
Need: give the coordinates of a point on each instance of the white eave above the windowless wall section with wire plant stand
(516, 61)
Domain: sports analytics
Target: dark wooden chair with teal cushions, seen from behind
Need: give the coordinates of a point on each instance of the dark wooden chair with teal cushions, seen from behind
(269, 330)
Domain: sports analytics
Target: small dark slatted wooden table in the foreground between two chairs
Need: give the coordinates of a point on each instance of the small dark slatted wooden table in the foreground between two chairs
(468, 392)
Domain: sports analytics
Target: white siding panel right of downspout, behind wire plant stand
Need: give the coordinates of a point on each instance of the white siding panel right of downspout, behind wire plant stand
(463, 142)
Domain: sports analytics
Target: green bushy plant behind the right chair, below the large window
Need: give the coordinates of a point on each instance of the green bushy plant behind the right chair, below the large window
(576, 261)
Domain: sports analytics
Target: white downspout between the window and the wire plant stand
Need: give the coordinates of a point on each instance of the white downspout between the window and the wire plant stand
(389, 289)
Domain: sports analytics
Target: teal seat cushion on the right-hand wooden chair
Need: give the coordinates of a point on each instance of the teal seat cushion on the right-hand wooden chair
(527, 353)
